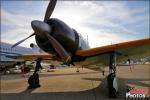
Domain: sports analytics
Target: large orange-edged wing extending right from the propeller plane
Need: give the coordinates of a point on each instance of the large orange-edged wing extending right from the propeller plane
(131, 49)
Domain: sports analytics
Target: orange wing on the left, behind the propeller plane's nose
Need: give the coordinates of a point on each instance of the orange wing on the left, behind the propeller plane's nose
(26, 57)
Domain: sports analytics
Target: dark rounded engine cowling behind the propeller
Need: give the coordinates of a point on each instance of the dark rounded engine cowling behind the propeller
(65, 35)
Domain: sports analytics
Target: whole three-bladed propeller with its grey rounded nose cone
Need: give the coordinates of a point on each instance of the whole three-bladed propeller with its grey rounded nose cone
(42, 29)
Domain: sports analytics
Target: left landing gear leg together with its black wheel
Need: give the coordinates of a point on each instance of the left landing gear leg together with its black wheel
(33, 80)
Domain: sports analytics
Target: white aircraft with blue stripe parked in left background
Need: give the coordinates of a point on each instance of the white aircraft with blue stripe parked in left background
(8, 54)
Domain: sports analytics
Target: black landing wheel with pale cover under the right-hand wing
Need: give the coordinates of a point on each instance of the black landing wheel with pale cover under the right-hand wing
(112, 85)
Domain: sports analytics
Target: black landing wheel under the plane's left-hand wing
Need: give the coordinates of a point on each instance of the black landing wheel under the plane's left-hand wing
(33, 81)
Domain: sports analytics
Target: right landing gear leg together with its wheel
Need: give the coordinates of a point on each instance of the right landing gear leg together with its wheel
(111, 78)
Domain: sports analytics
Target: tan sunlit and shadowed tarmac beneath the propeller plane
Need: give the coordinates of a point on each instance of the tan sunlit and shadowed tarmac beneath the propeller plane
(67, 84)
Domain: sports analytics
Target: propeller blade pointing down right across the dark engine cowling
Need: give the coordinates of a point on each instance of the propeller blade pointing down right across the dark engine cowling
(59, 49)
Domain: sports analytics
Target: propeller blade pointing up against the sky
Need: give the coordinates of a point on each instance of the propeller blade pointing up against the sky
(50, 9)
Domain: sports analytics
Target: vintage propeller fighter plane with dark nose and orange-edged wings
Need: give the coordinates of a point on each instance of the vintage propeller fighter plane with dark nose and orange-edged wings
(58, 39)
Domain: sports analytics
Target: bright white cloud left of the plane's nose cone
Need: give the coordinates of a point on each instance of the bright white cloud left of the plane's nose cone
(21, 27)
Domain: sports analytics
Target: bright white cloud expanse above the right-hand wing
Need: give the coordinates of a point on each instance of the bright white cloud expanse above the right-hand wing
(81, 14)
